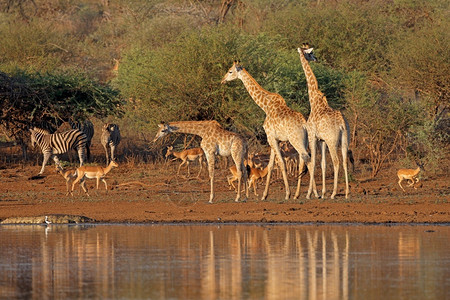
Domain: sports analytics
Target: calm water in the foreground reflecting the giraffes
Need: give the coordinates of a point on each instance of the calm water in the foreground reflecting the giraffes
(224, 262)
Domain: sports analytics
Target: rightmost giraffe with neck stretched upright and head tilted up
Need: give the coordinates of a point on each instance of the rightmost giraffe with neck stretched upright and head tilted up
(326, 125)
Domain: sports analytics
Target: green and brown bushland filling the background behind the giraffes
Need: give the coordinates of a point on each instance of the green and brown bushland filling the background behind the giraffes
(384, 63)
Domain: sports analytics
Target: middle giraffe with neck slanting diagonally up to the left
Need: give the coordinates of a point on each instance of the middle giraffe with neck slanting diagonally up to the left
(281, 124)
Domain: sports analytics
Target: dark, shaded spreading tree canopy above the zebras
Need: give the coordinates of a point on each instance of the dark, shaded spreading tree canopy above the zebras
(47, 100)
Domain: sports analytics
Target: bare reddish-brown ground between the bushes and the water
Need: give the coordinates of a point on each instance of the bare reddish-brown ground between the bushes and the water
(152, 193)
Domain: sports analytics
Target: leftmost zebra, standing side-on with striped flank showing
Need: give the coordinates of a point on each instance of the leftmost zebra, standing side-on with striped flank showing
(58, 143)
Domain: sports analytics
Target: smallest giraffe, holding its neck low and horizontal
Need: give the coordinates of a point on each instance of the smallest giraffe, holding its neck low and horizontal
(215, 140)
